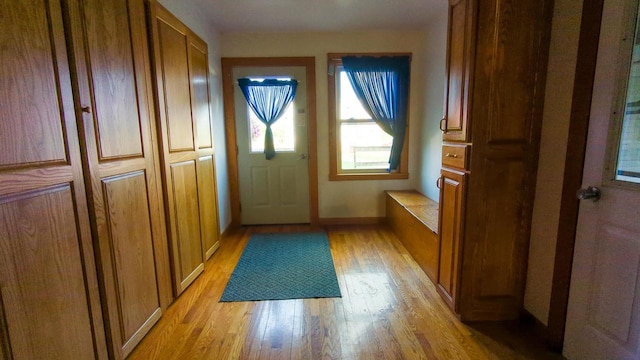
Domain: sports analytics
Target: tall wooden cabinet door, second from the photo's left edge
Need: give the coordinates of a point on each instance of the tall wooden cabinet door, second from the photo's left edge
(114, 83)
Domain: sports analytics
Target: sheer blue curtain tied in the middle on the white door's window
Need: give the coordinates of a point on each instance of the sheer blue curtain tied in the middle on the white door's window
(268, 99)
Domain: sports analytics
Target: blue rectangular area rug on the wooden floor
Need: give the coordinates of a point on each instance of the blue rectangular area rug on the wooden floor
(283, 266)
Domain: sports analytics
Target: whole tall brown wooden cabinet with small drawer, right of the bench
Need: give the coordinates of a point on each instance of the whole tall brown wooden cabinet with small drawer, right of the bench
(496, 68)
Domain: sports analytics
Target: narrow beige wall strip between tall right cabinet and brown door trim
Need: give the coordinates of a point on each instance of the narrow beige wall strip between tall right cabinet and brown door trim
(555, 129)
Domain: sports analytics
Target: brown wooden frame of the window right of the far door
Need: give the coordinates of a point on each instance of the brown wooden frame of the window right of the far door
(334, 62)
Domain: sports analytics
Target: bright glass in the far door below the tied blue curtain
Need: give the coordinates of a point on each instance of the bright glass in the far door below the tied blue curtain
(283, 132)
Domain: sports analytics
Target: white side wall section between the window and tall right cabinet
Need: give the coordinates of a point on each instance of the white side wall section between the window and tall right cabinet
(430, 144)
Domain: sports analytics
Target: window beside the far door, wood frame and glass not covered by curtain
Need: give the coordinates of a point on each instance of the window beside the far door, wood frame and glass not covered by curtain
(359, 148)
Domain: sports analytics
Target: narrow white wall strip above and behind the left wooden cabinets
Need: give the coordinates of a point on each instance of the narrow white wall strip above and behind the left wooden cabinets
(189, 13)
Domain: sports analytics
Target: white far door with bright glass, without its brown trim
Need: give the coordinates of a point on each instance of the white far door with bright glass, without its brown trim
(273, 191)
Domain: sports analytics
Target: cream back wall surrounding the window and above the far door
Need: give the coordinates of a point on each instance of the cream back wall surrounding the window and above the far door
(344, 199)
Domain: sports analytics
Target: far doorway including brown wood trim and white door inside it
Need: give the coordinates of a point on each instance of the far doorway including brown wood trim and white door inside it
(269, 204)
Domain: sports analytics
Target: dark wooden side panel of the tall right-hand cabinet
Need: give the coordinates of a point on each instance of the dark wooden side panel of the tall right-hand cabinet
(512, 46)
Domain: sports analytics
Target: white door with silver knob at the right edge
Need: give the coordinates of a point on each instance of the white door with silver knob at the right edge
(603, 315)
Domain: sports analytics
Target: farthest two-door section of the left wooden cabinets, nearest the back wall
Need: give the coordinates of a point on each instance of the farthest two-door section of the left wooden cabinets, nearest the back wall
(186, 141)
